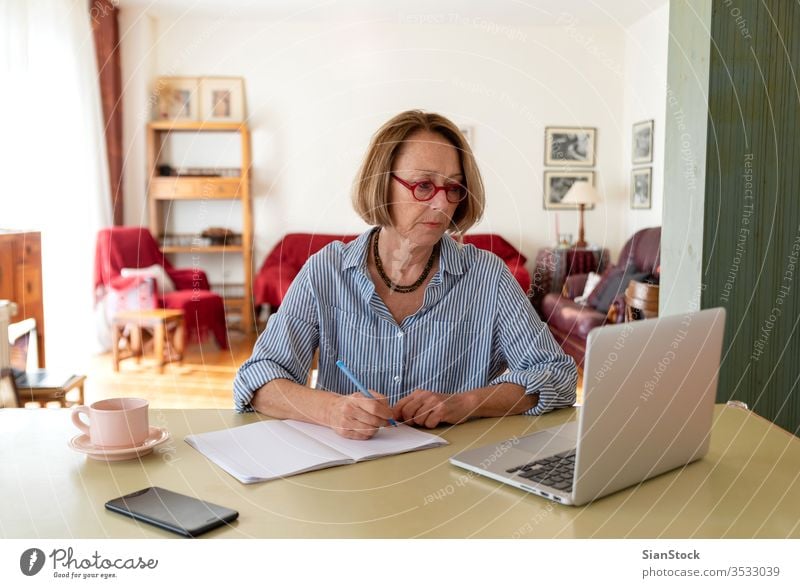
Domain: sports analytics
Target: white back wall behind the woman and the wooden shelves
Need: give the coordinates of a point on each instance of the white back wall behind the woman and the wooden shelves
(316, 92)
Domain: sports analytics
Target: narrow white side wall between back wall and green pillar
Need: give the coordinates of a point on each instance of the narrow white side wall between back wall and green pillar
(646, 98)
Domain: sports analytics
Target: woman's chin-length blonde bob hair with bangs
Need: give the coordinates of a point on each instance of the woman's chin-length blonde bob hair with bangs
(371, 189)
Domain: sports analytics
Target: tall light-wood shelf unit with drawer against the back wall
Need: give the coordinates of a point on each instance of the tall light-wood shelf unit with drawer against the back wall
(163, 191)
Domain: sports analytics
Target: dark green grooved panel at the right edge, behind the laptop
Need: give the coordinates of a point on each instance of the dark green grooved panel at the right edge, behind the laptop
(751, 243)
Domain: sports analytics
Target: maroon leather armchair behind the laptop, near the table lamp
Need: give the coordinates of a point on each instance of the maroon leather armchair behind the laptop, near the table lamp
(571, 322)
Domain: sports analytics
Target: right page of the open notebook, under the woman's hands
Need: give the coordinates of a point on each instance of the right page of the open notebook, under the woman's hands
(387, 441)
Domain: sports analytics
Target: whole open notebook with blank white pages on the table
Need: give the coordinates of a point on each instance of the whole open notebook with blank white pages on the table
(274, 449)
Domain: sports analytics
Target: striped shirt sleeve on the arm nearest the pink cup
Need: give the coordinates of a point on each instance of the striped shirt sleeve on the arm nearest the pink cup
(285, 348)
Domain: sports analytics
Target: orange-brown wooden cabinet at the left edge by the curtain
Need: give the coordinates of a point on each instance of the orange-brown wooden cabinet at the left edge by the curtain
(21, 279)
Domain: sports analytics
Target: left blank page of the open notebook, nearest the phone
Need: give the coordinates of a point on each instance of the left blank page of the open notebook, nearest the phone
(264, 451)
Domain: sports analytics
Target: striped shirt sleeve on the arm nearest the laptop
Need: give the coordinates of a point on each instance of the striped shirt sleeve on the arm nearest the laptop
(534, 359)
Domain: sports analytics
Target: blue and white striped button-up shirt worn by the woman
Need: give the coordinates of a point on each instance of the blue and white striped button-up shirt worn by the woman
(475, 328)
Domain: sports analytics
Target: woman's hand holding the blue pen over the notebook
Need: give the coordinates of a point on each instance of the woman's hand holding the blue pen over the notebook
(358, 417)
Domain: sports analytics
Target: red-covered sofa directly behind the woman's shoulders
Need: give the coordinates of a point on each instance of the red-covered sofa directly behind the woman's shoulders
(284, 262)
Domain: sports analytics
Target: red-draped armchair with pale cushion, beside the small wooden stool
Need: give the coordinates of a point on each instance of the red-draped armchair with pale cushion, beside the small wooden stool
(134, 247)
